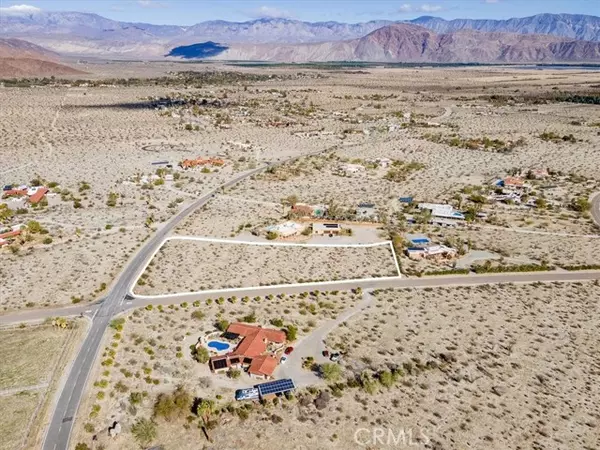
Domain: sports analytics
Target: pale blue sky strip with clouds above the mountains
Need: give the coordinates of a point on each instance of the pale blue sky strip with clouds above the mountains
(187, 12)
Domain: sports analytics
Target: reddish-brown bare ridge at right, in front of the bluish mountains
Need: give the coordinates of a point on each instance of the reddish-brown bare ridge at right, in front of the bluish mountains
(411, 43)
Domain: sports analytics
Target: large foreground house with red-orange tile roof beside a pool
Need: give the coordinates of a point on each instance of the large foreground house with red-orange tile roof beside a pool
(252, 352)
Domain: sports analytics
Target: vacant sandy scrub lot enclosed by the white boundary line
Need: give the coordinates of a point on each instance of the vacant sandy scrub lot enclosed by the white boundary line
(197, 264)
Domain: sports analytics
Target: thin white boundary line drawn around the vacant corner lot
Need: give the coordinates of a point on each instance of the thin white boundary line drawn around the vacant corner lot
(272, 244)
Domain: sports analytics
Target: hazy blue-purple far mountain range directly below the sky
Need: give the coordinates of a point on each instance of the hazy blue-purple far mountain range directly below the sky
(84, 34)
